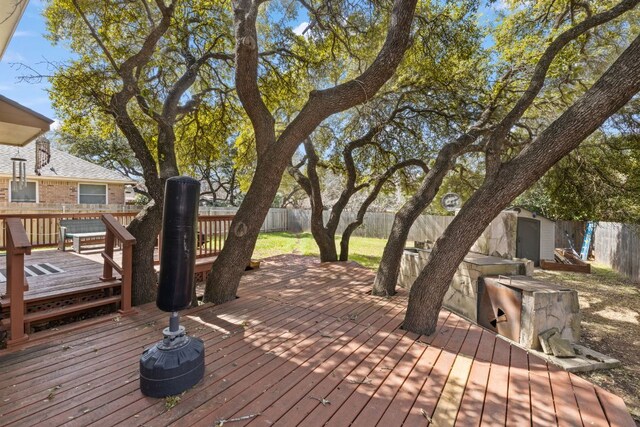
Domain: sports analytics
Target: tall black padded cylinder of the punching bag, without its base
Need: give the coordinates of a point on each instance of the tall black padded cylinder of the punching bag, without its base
(177, 262)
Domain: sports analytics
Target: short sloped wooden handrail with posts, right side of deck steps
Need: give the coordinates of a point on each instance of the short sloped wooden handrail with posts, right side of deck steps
(117, 234)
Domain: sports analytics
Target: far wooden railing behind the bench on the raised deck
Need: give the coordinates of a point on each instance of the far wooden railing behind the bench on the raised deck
(43, 229)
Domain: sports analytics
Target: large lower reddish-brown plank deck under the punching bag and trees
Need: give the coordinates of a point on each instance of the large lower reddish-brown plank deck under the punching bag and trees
(303, 345)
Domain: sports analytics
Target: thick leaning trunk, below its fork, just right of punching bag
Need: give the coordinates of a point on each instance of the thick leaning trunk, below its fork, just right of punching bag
(227, 269)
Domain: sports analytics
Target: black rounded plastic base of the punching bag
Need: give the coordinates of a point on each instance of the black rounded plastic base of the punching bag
(167, 371)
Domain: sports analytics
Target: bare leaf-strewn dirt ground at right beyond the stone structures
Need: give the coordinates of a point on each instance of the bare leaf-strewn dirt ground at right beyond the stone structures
(610, 308)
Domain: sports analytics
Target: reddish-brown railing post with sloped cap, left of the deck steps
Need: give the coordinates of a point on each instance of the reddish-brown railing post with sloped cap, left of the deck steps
(18, 246)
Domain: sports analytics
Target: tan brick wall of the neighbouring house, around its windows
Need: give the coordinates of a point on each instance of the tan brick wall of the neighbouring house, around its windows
(63, 192)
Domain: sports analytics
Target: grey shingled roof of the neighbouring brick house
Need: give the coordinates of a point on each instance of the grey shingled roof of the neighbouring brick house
(63, 166)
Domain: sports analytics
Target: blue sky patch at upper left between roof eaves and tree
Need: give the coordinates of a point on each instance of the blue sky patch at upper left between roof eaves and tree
(28, 46)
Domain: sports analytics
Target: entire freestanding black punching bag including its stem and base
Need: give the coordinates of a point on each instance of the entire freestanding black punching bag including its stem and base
(177, 362)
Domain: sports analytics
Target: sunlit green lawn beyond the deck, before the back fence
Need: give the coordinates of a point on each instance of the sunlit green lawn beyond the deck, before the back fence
(363, 250)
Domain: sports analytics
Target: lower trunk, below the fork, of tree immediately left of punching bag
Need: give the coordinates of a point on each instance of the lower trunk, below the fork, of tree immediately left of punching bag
(145, 228)
